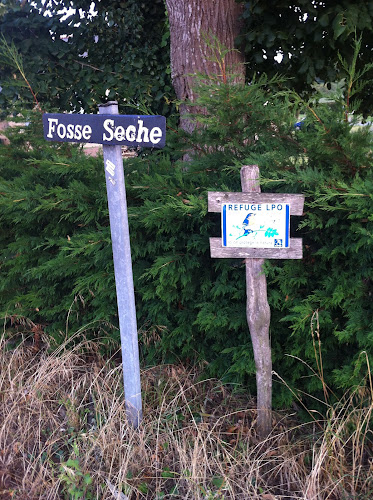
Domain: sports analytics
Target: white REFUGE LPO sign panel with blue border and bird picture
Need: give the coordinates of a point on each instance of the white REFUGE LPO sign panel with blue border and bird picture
(256, 225)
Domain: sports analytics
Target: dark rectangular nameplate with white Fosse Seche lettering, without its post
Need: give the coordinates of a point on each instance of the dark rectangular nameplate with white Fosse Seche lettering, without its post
(107, 129)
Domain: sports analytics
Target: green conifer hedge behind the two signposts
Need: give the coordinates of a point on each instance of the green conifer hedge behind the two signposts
(55, 251)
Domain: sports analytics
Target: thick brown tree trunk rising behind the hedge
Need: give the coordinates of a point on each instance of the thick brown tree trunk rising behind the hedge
(189, 21)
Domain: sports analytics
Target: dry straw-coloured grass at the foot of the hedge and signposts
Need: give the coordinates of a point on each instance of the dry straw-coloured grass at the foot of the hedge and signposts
(63, 435)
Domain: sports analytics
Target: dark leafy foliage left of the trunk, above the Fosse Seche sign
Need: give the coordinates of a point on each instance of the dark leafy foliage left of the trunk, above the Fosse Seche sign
(121, 52)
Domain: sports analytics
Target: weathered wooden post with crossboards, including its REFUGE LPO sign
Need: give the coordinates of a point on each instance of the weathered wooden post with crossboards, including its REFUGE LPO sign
(256, 226)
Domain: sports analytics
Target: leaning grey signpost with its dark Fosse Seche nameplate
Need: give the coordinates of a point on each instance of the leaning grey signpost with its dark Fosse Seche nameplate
(113, 130)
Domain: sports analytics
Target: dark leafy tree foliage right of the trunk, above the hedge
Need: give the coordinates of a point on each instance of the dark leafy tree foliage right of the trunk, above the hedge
(309, 36)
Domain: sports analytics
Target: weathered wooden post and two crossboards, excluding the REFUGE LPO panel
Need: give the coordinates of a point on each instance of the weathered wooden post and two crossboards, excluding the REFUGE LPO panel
(257, 308)
